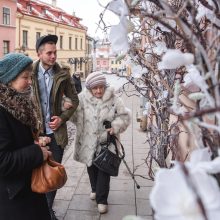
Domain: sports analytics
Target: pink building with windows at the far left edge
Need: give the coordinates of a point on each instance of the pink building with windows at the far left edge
(7, 26)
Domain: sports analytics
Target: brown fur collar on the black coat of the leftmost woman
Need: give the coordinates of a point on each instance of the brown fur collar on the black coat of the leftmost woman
(19, 105)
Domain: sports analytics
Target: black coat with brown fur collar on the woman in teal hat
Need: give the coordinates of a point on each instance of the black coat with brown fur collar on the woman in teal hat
(18, 157)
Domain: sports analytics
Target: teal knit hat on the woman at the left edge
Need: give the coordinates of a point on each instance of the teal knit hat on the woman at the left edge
(11, 65)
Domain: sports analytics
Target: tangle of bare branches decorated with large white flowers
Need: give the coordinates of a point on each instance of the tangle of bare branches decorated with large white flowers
(173, 49)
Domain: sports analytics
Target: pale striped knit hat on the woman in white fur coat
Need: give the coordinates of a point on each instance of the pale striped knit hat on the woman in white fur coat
(95, 79)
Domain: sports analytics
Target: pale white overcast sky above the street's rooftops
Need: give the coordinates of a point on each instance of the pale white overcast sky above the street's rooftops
(88, 11)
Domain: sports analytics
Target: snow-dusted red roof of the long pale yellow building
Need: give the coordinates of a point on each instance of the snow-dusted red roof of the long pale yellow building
(48, 12)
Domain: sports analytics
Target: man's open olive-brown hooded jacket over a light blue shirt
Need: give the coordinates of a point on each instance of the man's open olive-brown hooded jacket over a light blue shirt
(62, 85)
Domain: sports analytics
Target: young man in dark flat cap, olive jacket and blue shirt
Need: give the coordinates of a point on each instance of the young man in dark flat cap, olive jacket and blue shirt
(51, 82)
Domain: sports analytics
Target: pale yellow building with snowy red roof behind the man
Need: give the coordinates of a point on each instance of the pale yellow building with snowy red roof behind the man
(36, 18)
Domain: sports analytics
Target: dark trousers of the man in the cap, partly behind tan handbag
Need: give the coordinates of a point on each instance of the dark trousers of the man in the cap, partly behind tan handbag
(57, 154)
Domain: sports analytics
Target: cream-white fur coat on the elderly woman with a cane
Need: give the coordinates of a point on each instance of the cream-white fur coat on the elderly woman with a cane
(89, 118)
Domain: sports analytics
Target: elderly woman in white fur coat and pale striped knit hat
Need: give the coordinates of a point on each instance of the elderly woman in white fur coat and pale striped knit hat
(97, 104)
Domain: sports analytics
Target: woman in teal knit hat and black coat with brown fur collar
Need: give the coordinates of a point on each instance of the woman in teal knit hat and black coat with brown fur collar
(19, 155)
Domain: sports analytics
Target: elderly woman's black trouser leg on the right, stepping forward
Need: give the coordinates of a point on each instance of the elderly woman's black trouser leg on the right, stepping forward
(102, 187)
